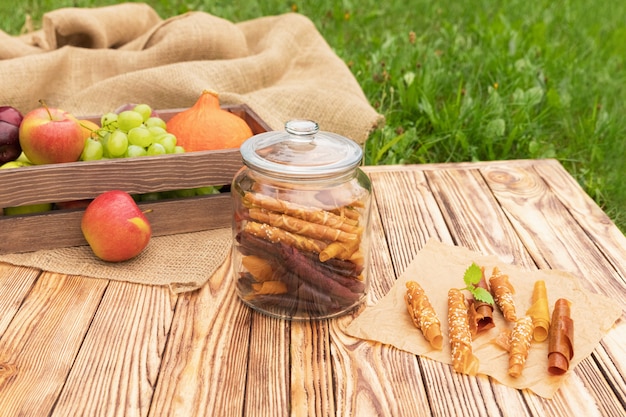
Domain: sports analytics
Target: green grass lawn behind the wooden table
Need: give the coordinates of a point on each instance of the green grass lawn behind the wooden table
(461, 81)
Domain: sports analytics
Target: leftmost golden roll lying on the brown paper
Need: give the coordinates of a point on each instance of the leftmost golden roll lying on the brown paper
(423, 314)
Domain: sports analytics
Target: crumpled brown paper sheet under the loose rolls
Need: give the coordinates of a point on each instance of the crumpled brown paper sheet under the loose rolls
(438, 267)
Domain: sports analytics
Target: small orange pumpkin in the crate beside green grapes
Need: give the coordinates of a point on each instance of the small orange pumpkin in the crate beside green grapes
(206, 127)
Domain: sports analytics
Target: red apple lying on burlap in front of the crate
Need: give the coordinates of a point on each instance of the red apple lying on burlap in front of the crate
(115, 227)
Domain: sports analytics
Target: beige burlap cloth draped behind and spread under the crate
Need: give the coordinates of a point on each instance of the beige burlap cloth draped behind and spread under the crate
(90, 61)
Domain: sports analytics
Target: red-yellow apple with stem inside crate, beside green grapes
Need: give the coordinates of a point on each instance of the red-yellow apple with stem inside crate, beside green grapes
(50, 136)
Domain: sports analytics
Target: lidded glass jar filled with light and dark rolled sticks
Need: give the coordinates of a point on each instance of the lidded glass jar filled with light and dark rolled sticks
(301, 223)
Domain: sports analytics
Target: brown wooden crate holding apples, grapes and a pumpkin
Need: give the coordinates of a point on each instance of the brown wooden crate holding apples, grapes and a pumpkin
(56, 183)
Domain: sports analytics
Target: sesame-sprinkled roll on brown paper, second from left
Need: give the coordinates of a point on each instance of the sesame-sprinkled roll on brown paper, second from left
(463, 359)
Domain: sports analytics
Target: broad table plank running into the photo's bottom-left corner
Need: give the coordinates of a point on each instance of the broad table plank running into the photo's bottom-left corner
(38, 348)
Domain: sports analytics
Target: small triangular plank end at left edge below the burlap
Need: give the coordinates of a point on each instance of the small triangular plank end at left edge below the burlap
(15, 282)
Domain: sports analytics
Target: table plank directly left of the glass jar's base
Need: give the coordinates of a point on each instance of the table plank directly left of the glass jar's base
(203, 372)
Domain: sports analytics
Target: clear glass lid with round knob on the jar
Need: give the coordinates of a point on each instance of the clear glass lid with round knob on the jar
(301, 151)
